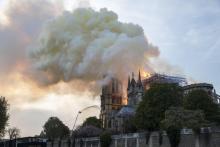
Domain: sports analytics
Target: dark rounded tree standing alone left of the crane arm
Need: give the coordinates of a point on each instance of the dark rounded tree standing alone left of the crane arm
(54, 128)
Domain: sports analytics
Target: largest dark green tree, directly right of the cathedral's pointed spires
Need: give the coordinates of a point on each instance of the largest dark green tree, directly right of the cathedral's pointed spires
(151, 110)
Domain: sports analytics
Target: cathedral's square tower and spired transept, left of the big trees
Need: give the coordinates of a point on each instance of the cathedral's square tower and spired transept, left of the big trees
(113, 110)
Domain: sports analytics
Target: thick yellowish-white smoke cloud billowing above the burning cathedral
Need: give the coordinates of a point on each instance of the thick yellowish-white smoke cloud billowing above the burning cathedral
(84, 45)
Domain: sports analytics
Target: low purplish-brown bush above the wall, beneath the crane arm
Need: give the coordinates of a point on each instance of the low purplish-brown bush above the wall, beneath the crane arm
(87, 131)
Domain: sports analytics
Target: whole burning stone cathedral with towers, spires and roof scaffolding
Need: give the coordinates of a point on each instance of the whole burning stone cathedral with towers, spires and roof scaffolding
(113, 109)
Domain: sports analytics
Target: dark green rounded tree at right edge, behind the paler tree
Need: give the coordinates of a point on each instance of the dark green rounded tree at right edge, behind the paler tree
(201, 100)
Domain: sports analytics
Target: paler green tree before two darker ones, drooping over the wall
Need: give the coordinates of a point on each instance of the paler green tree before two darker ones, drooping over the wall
(177, 118)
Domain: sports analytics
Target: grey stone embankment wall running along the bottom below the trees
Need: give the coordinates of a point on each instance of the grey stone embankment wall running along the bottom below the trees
(188, 139)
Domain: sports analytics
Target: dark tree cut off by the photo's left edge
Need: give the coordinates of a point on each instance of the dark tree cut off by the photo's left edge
(4, 116)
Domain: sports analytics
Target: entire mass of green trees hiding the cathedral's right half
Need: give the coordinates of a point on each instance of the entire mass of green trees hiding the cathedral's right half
(161, 108)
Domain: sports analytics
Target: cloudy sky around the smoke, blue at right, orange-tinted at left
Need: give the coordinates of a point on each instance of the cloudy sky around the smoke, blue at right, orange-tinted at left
(186, 34)
